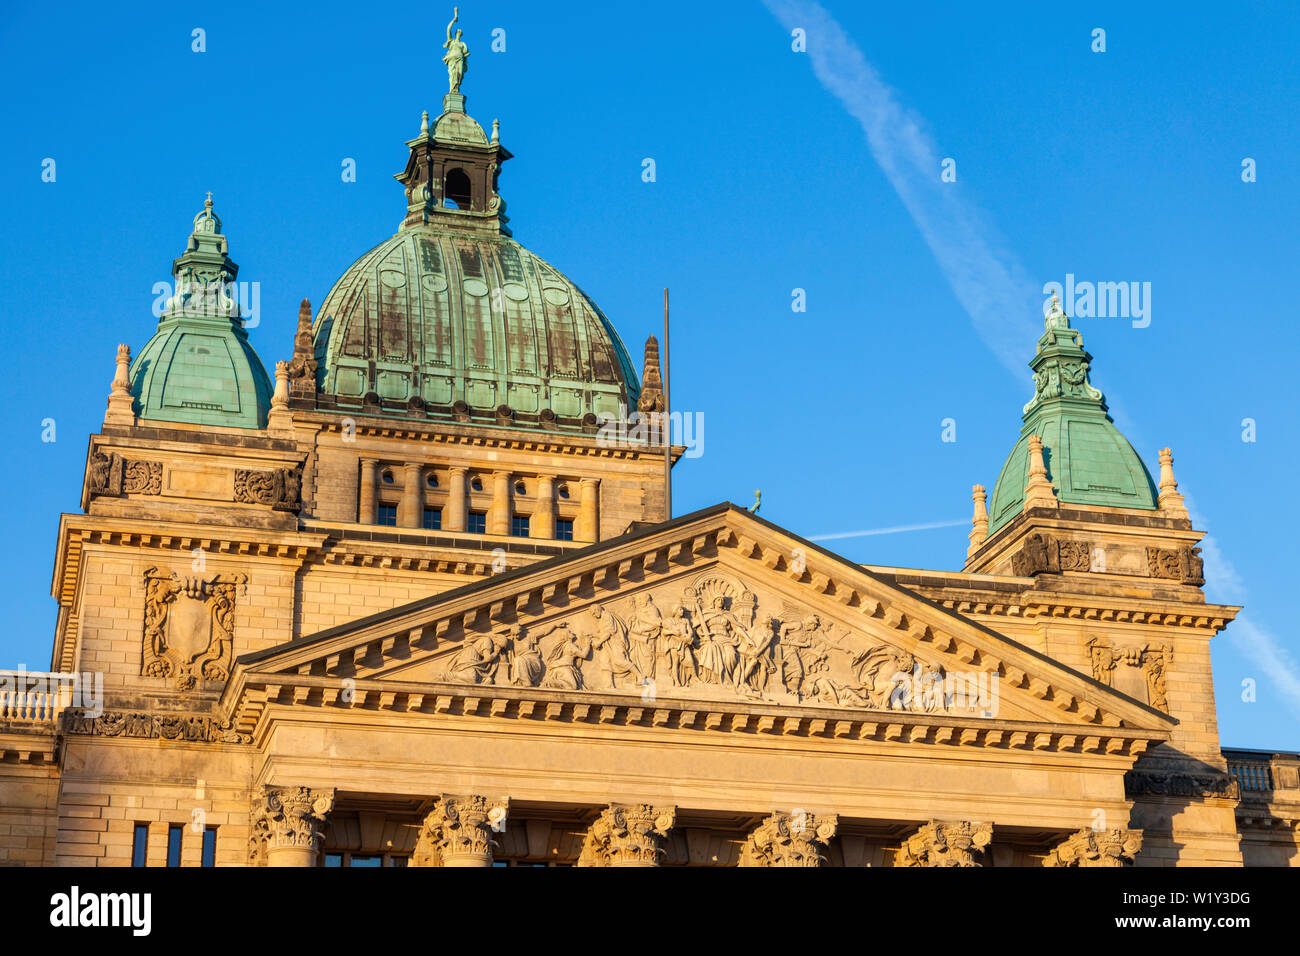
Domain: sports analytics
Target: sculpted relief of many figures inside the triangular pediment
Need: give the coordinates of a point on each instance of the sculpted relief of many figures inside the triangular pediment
(713, 639)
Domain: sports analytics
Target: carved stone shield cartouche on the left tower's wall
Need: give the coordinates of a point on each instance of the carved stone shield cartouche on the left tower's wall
(189, 628)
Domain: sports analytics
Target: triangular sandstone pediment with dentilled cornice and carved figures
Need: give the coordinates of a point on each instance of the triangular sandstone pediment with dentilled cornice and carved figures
(721, 611)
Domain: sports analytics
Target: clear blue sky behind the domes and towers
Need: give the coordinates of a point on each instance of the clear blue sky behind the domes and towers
(1124, 166)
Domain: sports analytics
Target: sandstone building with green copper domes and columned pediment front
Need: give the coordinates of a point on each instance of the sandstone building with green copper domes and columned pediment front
(408, 603)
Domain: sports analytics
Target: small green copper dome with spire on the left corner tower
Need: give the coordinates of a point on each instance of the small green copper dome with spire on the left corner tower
(200, 366)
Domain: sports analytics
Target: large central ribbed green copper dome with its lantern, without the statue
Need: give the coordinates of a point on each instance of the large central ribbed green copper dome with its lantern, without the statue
(454, 319)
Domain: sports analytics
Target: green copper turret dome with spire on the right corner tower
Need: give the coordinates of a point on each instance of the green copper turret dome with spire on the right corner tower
(1089, 461)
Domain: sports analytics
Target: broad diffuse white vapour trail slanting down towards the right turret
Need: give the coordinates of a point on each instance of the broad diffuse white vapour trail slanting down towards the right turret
(991, 284)
